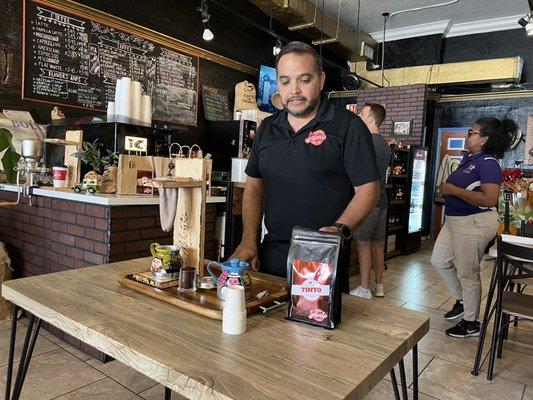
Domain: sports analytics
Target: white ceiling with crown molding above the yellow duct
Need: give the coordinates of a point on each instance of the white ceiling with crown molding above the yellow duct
(464, 15)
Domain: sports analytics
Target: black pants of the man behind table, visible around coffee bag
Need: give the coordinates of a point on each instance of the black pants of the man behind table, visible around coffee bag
(273, 261)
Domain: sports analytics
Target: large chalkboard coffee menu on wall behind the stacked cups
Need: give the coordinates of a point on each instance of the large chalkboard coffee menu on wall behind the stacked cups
(75, 61)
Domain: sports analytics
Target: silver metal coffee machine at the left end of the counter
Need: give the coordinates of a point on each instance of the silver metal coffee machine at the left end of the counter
(30, 167)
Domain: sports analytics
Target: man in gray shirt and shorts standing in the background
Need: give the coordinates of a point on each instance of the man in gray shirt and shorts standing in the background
(370, 235)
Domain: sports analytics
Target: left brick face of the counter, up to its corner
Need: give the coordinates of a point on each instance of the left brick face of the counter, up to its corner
(54, 235)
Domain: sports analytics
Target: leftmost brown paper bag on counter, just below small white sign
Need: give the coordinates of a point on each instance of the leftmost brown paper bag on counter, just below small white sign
(134, 174)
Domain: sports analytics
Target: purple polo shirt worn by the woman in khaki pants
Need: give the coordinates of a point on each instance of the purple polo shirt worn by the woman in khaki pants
(474, 170)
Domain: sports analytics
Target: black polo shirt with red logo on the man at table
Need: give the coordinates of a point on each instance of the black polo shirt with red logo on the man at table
(309, 176)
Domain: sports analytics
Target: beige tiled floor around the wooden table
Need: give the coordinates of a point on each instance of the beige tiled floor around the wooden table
(59, 371)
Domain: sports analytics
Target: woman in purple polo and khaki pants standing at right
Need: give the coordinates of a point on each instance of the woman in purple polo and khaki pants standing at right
(471, 194)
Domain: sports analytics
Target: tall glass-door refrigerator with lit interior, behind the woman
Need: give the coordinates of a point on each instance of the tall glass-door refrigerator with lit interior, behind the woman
(416, 186)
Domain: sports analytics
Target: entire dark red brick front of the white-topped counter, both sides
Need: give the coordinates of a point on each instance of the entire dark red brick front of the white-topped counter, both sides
(56, 235)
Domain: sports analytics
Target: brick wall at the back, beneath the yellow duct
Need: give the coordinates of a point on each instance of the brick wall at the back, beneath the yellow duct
(402, 103)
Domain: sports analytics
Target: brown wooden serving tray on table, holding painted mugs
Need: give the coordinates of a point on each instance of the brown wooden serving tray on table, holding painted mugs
(206, 302)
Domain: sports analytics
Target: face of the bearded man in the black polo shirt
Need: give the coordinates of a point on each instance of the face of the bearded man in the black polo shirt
(299, 84)
